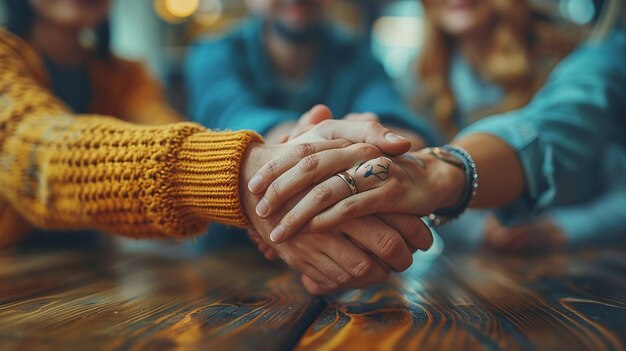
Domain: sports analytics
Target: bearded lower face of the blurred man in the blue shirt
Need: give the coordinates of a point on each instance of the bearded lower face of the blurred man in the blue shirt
(295, 15)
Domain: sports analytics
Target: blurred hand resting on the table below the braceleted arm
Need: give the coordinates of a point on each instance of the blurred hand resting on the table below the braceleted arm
(540, 236)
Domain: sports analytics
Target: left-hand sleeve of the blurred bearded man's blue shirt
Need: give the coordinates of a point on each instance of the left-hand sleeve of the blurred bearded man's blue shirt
(219, 98)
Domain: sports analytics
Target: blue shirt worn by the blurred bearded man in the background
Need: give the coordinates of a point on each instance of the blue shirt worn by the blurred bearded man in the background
(232, 85)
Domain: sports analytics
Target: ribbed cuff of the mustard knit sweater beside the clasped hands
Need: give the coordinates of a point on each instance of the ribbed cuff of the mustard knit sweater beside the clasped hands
(207, 175)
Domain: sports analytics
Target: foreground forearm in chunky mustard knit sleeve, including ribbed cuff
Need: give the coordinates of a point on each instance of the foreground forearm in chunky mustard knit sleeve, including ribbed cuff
(138, 181)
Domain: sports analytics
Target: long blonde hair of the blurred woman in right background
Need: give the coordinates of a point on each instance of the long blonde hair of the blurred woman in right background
(520, 35)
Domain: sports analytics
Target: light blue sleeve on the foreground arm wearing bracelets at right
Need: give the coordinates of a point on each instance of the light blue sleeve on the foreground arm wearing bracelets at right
(566, 125)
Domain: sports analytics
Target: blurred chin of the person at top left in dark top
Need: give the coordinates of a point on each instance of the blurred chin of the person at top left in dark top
(72, 13)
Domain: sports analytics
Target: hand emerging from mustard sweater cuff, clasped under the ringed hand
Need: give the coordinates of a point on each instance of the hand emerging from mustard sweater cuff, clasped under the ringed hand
(340, 258)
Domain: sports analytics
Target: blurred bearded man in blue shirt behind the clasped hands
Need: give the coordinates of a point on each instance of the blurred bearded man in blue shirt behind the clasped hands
(282, 61)
